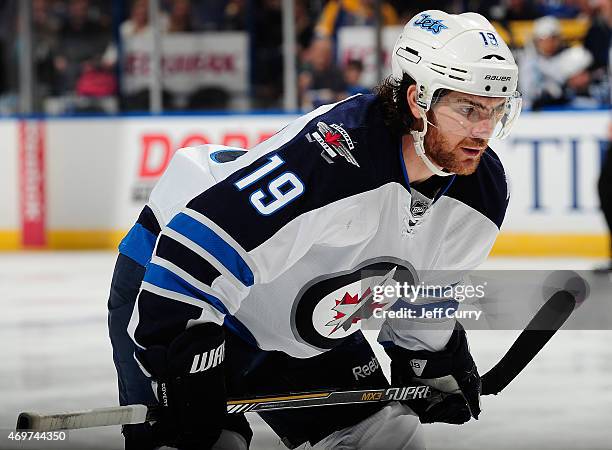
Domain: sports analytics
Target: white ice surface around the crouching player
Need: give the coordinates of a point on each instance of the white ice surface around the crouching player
(55, 355)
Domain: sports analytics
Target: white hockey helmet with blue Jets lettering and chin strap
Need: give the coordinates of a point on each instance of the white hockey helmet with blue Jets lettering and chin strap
(462, 53)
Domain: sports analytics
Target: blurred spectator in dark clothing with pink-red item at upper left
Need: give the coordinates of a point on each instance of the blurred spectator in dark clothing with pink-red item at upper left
(78, 57)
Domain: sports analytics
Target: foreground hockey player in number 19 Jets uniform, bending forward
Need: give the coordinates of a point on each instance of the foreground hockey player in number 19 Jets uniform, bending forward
(243, 265)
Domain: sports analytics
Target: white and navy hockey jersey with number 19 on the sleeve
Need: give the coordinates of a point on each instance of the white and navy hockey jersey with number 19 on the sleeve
(277, 242)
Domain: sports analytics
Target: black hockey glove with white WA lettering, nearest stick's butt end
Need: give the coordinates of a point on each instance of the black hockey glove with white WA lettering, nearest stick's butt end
(190, 387)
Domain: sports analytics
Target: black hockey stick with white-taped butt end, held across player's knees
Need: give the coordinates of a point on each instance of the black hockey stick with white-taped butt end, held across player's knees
(551, 316)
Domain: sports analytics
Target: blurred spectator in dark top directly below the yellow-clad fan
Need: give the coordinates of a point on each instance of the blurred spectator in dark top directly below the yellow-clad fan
(320, 81)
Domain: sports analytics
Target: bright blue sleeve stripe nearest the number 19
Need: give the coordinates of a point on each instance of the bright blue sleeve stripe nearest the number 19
(214, 245)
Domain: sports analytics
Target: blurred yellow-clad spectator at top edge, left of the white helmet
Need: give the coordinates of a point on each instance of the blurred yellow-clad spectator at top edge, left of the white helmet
(340, 13)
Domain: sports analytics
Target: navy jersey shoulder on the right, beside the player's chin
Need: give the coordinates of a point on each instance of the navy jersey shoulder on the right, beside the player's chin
(486, 190)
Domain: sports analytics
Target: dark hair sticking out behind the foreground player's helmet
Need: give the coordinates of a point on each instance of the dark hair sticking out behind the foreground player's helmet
(394, 104)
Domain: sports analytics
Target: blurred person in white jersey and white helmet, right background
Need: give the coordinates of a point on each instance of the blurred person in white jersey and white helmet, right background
(550, 73)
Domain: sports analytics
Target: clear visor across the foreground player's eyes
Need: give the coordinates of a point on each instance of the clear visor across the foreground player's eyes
(489, 118)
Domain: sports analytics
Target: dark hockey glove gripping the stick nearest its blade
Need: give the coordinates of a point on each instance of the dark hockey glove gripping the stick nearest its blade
(451, 371)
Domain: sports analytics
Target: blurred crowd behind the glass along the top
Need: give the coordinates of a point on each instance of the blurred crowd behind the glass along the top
(562, 48)
